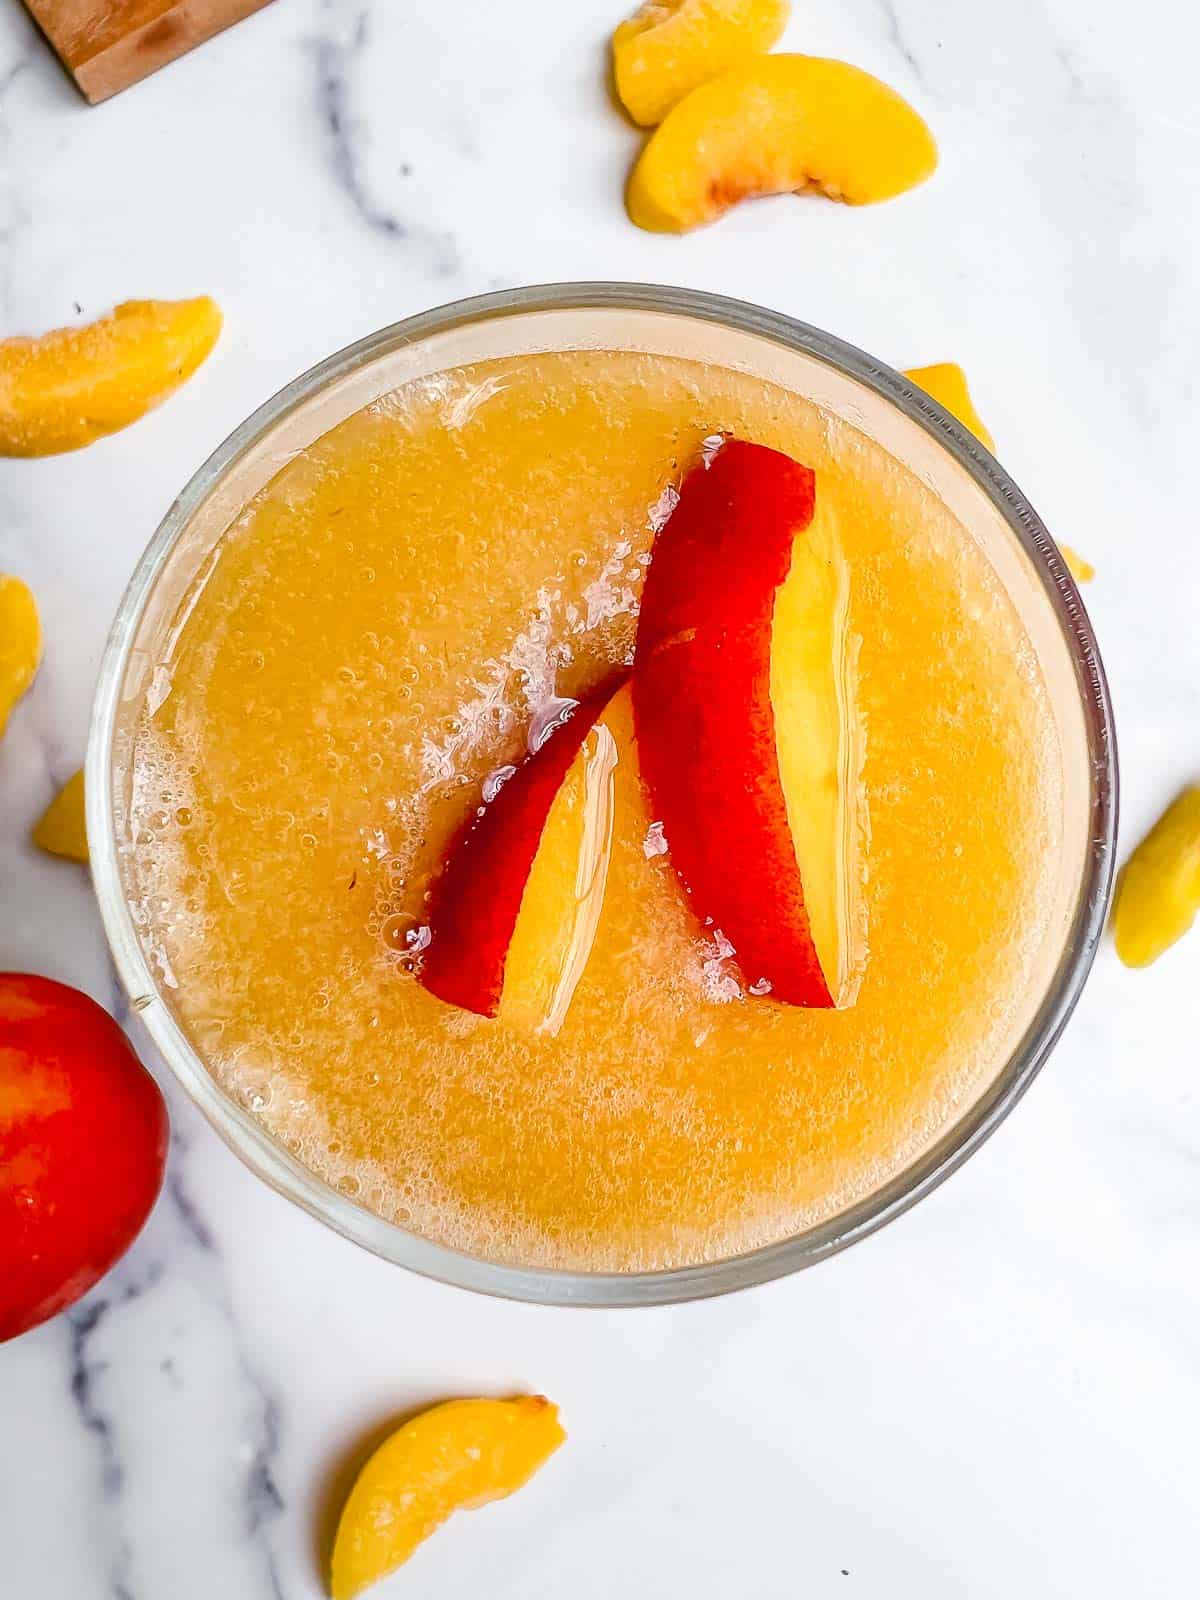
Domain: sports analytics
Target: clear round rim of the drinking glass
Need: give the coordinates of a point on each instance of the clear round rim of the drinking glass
(919, 1178)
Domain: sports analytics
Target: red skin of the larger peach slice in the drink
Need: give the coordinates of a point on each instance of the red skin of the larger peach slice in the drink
(705, 718)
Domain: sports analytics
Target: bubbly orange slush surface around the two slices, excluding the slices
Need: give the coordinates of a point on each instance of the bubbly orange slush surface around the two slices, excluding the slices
(380, 636)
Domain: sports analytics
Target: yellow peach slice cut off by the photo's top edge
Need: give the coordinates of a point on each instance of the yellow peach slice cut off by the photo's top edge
(670, 47)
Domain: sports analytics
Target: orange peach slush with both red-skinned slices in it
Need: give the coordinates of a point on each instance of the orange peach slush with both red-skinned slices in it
(599, 814)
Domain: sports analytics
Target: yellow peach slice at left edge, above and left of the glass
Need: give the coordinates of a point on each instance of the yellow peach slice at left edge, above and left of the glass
(73, 386)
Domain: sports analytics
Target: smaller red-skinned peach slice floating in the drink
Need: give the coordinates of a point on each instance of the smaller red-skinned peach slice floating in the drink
(516, 908)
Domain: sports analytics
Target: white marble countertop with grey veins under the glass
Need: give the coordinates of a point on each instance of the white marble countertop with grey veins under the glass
(1001, 1394)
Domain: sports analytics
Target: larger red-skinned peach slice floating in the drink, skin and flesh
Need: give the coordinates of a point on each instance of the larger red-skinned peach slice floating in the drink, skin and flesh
(743, 686)
